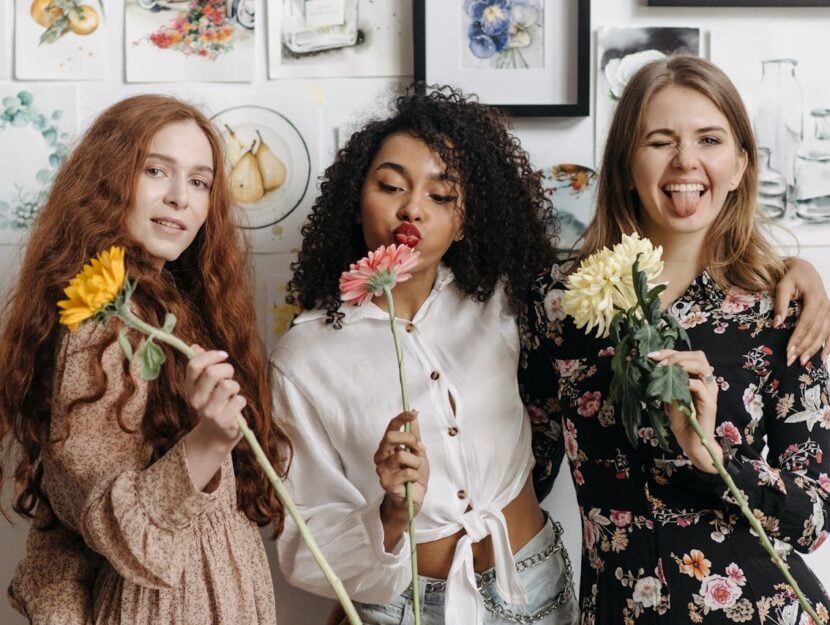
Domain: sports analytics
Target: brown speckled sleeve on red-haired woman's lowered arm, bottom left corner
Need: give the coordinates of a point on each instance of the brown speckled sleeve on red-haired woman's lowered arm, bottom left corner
(52, 585)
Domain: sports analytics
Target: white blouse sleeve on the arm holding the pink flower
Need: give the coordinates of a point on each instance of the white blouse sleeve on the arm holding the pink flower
(345, 525)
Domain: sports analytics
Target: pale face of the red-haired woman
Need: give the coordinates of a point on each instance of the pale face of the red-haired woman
(172, 194)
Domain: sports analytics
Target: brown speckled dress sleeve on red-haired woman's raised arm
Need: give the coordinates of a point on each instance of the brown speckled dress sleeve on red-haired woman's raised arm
(100, 480)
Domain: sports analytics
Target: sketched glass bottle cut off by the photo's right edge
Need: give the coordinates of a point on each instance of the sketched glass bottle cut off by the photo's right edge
(812, 171)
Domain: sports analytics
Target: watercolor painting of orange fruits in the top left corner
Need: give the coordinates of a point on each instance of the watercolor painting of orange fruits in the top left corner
(60, 40)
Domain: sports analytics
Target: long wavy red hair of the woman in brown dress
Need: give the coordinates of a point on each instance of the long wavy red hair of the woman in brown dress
(208, 288)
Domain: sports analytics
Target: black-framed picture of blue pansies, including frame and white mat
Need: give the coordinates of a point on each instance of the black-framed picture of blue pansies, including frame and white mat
(530, 58)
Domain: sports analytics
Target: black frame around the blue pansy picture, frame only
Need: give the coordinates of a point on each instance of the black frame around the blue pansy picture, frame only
(578, 108)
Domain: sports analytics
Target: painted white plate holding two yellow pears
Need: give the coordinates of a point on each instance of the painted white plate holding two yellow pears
(269, 162)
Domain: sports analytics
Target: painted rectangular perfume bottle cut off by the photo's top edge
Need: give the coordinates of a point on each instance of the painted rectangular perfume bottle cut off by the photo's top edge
(314, 25)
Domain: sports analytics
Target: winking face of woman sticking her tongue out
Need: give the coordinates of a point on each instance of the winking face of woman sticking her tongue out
(686, 163)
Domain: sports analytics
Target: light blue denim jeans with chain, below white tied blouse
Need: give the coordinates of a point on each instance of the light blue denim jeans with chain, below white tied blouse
(544, 569)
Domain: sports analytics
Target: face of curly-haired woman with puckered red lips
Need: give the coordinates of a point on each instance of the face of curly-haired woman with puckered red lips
(407, 197)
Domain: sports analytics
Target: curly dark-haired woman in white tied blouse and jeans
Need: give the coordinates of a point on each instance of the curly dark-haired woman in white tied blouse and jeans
(441, 174)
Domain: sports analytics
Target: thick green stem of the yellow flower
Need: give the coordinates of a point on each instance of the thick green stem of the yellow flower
(165, 337)
